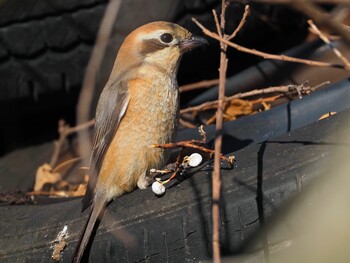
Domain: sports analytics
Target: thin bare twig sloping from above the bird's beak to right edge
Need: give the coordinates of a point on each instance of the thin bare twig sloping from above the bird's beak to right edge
(264, 54)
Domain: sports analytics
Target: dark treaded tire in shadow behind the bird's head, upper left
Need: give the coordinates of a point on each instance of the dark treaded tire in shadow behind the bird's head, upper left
(45, 45)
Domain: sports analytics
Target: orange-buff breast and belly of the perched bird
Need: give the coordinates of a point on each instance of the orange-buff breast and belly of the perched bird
(151, 117)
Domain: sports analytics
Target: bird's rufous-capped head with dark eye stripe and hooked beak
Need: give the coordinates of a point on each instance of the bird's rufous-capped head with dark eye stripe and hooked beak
(157, 44)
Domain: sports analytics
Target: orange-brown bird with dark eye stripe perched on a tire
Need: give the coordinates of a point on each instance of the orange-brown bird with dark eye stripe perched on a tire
(138, 107)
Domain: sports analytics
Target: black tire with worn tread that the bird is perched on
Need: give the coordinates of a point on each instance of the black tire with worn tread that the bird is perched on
(177, 227)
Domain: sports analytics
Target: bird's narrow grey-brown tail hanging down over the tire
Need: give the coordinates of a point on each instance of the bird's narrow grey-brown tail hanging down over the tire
(96, 210)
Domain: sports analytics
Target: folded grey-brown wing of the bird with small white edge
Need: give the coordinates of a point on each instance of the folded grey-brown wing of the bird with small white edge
(111, 108)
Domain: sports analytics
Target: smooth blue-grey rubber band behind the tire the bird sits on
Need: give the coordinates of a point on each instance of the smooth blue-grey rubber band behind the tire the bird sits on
(278, 120)
